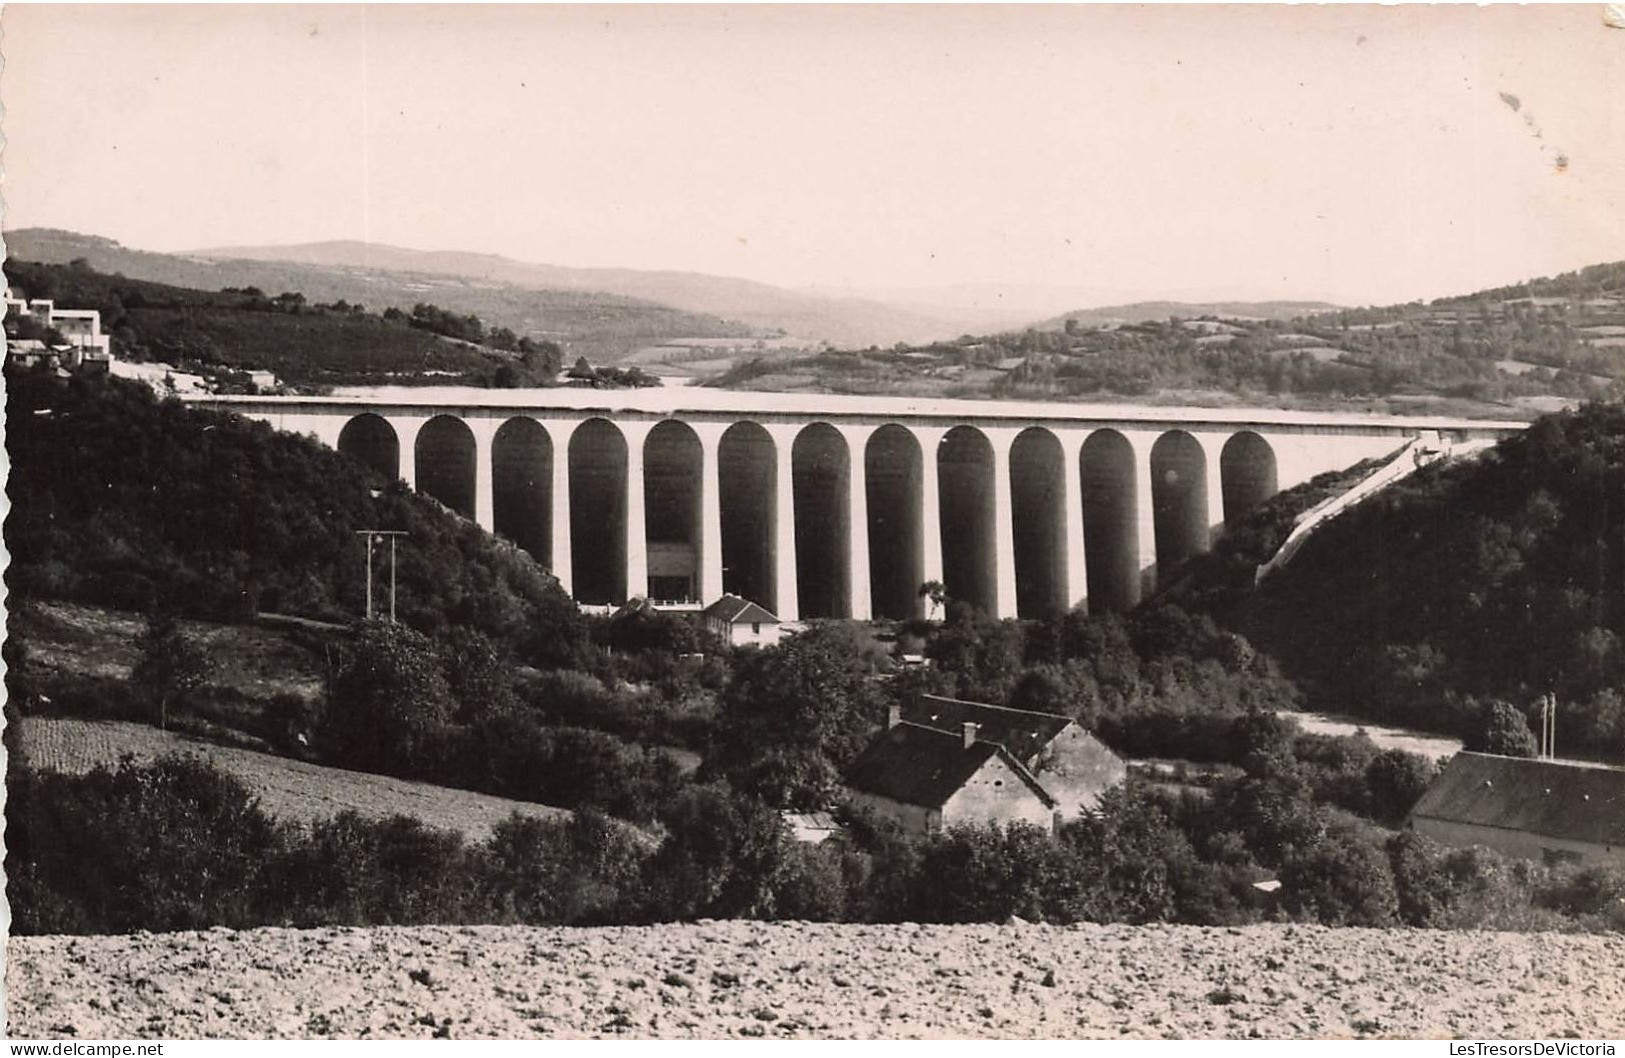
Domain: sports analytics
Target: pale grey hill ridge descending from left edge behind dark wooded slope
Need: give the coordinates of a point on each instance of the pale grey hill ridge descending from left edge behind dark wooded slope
(584, 321)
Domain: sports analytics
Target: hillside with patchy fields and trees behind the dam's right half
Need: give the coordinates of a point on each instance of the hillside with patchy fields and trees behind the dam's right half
(1499, 353)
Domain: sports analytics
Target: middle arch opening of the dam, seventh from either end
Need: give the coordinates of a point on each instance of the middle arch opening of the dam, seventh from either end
(820, 477)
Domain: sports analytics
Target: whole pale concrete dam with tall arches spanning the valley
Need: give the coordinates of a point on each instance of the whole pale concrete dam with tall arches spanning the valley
(826, 506)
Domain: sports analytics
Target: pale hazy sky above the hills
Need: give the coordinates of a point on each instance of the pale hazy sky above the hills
(1363, 155)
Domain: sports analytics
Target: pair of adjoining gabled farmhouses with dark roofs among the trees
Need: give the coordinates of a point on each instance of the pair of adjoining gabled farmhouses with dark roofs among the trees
(945, 761)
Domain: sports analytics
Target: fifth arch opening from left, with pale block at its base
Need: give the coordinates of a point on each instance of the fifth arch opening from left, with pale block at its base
(672, 511)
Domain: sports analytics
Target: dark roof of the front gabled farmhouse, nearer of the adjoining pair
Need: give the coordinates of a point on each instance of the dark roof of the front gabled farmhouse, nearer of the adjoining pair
(917, 765)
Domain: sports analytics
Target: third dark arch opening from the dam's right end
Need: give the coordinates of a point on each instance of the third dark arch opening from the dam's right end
(1111, 522)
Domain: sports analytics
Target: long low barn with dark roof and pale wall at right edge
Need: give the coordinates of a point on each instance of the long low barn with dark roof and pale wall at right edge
(1530, 809)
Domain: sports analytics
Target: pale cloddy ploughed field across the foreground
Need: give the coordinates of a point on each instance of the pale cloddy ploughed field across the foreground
(795, 981)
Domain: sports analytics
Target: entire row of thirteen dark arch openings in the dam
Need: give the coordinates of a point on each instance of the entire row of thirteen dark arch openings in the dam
(898, 490)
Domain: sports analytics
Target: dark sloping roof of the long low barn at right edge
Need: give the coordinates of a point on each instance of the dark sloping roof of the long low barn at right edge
(1572, 802)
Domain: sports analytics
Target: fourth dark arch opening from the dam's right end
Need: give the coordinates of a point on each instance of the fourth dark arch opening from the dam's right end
(1039, 524)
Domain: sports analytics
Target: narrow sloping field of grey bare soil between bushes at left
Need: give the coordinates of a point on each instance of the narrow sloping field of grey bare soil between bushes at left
(292, 791)
